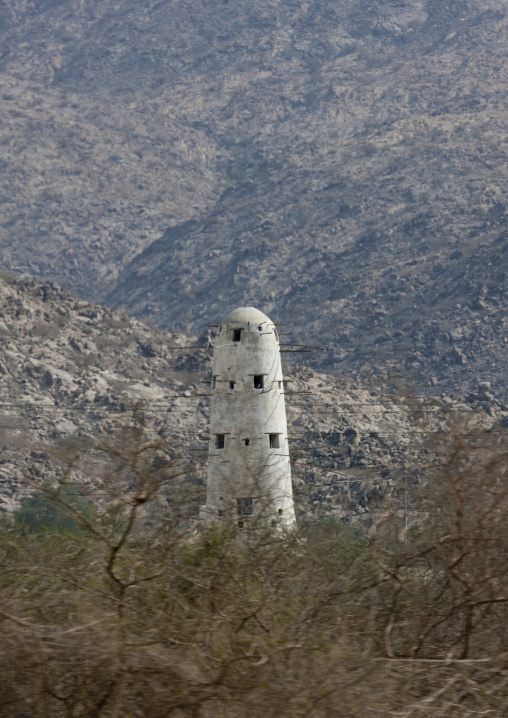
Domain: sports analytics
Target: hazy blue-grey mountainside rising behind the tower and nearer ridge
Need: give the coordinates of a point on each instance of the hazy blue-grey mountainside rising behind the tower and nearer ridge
(343, 166)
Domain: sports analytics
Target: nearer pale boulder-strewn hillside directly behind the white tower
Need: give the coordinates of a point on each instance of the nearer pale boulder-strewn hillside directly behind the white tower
(73, 373)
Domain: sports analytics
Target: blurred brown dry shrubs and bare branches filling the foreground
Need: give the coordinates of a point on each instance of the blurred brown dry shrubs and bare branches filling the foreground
(142, 612)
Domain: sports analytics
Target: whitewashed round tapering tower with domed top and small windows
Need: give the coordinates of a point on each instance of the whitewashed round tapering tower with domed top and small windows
(249, 474)
